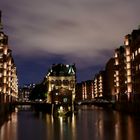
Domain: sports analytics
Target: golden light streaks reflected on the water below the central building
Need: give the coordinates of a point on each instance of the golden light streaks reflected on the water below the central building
(62, 128)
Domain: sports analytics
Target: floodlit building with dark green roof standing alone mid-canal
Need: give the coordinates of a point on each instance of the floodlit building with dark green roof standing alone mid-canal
(61, 82)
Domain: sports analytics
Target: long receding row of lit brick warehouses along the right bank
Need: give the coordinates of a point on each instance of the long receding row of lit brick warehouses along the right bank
(120, 80)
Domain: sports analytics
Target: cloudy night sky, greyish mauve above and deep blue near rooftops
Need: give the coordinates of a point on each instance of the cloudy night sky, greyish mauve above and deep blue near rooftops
(84, 32)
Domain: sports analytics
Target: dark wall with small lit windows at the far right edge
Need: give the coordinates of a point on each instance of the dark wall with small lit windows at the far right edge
(133, 41)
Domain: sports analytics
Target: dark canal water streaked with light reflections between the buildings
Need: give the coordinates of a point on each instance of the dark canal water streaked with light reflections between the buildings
(88, 123)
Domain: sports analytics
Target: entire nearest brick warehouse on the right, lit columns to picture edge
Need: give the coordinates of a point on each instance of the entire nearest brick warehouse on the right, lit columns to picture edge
(127, 68)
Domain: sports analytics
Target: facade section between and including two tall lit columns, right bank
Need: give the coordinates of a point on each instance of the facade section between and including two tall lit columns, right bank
(123, 76)
